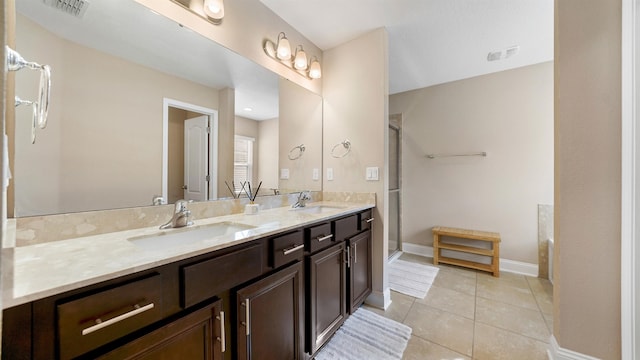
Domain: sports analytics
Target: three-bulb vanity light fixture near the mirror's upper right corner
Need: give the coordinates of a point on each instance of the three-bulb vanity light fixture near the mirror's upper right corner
(281, 51)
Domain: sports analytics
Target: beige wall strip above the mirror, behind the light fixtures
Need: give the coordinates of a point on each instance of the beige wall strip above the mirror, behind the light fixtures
(246, 24)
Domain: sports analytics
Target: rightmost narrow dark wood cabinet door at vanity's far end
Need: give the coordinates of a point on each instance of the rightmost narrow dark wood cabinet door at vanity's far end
(359, 269)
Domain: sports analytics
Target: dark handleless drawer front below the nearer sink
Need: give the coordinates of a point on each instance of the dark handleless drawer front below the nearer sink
(208, 278)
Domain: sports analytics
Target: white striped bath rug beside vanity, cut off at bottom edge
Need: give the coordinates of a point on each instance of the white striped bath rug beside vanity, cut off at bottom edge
(366, 335)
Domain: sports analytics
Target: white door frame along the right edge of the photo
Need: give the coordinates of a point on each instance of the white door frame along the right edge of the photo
(630, 249)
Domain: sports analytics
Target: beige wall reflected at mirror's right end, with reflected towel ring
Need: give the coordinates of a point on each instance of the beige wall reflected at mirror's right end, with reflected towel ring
(300, 122)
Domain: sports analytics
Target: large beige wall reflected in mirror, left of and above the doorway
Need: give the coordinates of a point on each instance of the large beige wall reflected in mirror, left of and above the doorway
(103, 145)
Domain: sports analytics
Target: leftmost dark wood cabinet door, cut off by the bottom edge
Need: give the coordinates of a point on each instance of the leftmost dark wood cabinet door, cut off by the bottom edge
(198, 335)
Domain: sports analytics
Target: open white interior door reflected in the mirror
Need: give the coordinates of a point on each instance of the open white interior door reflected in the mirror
(196, 158)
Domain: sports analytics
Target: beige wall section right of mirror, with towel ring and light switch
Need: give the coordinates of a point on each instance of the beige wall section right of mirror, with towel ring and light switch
(355, 108)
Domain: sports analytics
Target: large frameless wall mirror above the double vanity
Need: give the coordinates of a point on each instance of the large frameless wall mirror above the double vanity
(124, 82)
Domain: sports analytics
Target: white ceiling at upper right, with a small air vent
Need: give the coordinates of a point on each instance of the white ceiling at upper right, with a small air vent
(431, 41)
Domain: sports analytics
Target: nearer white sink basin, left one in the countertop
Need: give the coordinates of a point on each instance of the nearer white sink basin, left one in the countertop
(188, 235)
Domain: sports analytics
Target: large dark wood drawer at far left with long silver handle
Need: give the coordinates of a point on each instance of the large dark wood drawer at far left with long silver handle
(94, 320)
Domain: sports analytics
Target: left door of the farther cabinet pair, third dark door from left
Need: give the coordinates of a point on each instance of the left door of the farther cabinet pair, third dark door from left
(327, 295)
